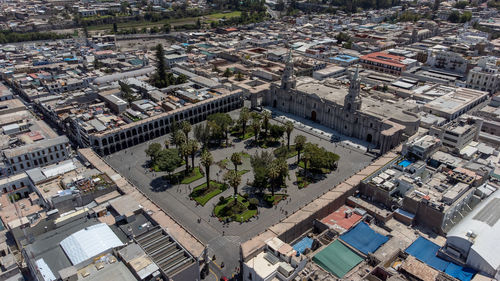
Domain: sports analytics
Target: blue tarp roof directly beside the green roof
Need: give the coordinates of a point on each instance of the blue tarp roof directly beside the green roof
(364, 239)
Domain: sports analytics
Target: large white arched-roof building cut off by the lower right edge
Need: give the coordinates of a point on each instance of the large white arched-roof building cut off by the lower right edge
(477, 237)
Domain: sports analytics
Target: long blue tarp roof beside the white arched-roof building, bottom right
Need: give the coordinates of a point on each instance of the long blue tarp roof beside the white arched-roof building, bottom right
(426, 251)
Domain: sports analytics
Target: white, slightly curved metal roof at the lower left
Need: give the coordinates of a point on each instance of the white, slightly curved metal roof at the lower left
(89, 242)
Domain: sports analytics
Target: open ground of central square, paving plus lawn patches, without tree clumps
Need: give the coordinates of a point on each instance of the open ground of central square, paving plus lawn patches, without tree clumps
(223, 237)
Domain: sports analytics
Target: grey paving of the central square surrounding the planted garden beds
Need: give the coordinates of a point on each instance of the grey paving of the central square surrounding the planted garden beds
(223, 238)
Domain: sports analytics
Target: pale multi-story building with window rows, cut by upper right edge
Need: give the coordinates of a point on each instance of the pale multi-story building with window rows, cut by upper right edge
(485, 76)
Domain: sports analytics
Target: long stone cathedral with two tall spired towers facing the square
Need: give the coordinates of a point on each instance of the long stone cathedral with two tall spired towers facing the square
(329, 103)
